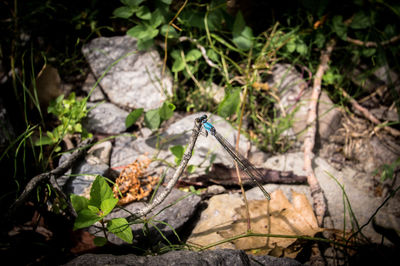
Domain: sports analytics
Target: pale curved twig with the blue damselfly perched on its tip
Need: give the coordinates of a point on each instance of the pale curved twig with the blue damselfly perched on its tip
(185, 160)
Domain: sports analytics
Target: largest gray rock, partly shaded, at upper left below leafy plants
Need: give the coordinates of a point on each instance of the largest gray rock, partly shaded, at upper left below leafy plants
(133, 82)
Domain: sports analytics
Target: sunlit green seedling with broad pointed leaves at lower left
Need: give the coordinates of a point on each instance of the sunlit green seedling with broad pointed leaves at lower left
(95, 209)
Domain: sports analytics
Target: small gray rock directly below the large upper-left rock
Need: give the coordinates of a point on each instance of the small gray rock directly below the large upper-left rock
(106, 118)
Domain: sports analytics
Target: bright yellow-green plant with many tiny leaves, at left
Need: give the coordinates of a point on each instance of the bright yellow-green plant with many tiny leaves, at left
(69, 112)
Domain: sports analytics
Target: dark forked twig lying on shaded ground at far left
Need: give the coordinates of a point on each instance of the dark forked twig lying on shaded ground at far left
(51, 177)
